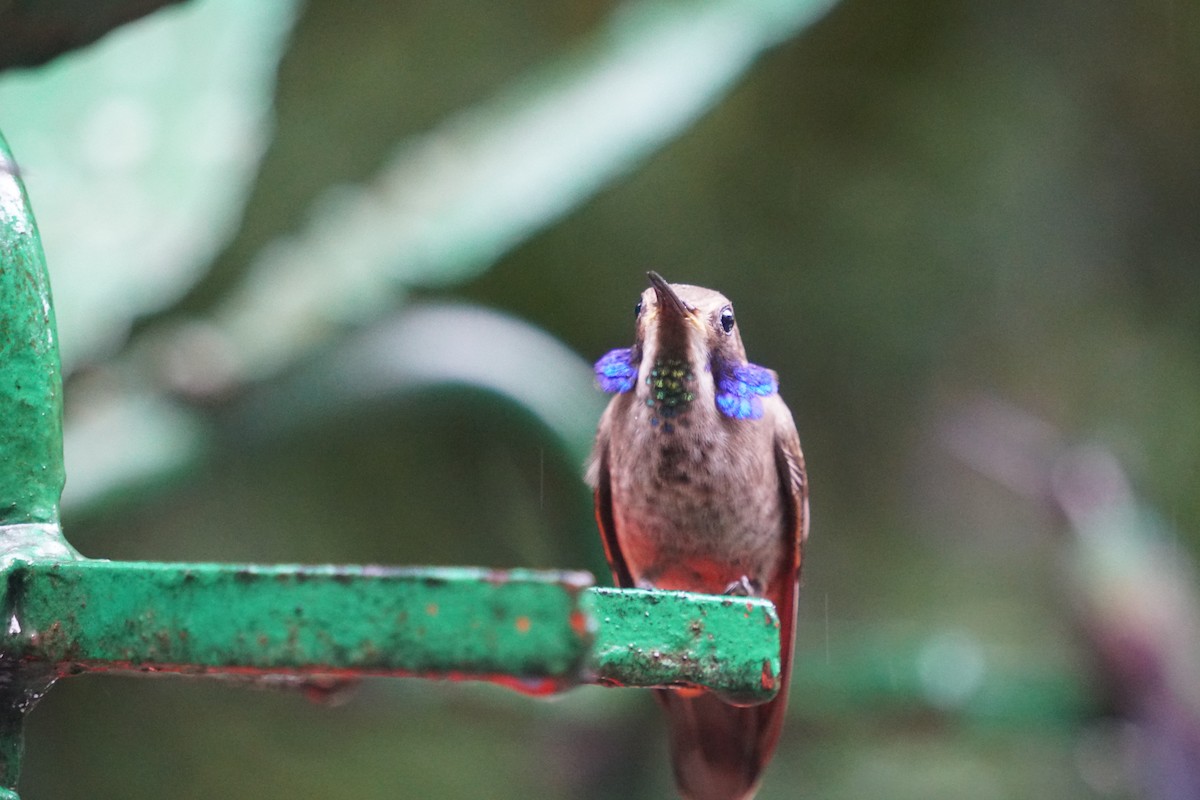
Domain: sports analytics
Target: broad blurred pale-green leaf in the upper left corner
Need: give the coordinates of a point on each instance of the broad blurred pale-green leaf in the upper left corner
(139, 154)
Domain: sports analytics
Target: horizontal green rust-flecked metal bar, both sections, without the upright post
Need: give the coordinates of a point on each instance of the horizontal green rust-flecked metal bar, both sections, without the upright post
(535, 631)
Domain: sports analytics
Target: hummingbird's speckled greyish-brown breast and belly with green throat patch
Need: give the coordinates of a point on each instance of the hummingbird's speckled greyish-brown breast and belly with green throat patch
(697, 496)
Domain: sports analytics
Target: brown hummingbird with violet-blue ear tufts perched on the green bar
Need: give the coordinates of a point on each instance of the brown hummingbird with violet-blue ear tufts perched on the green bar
(700, 486)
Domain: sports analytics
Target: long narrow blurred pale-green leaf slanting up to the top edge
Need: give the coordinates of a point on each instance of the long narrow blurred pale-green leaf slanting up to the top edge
(451, 203)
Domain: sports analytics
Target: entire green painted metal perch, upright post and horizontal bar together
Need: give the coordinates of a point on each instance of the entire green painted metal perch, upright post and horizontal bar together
(535, 631)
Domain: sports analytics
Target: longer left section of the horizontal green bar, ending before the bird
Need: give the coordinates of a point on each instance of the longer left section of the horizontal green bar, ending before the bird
(201, 618)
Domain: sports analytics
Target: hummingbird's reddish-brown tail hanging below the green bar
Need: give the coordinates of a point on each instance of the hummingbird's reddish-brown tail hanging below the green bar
(718, 750)
